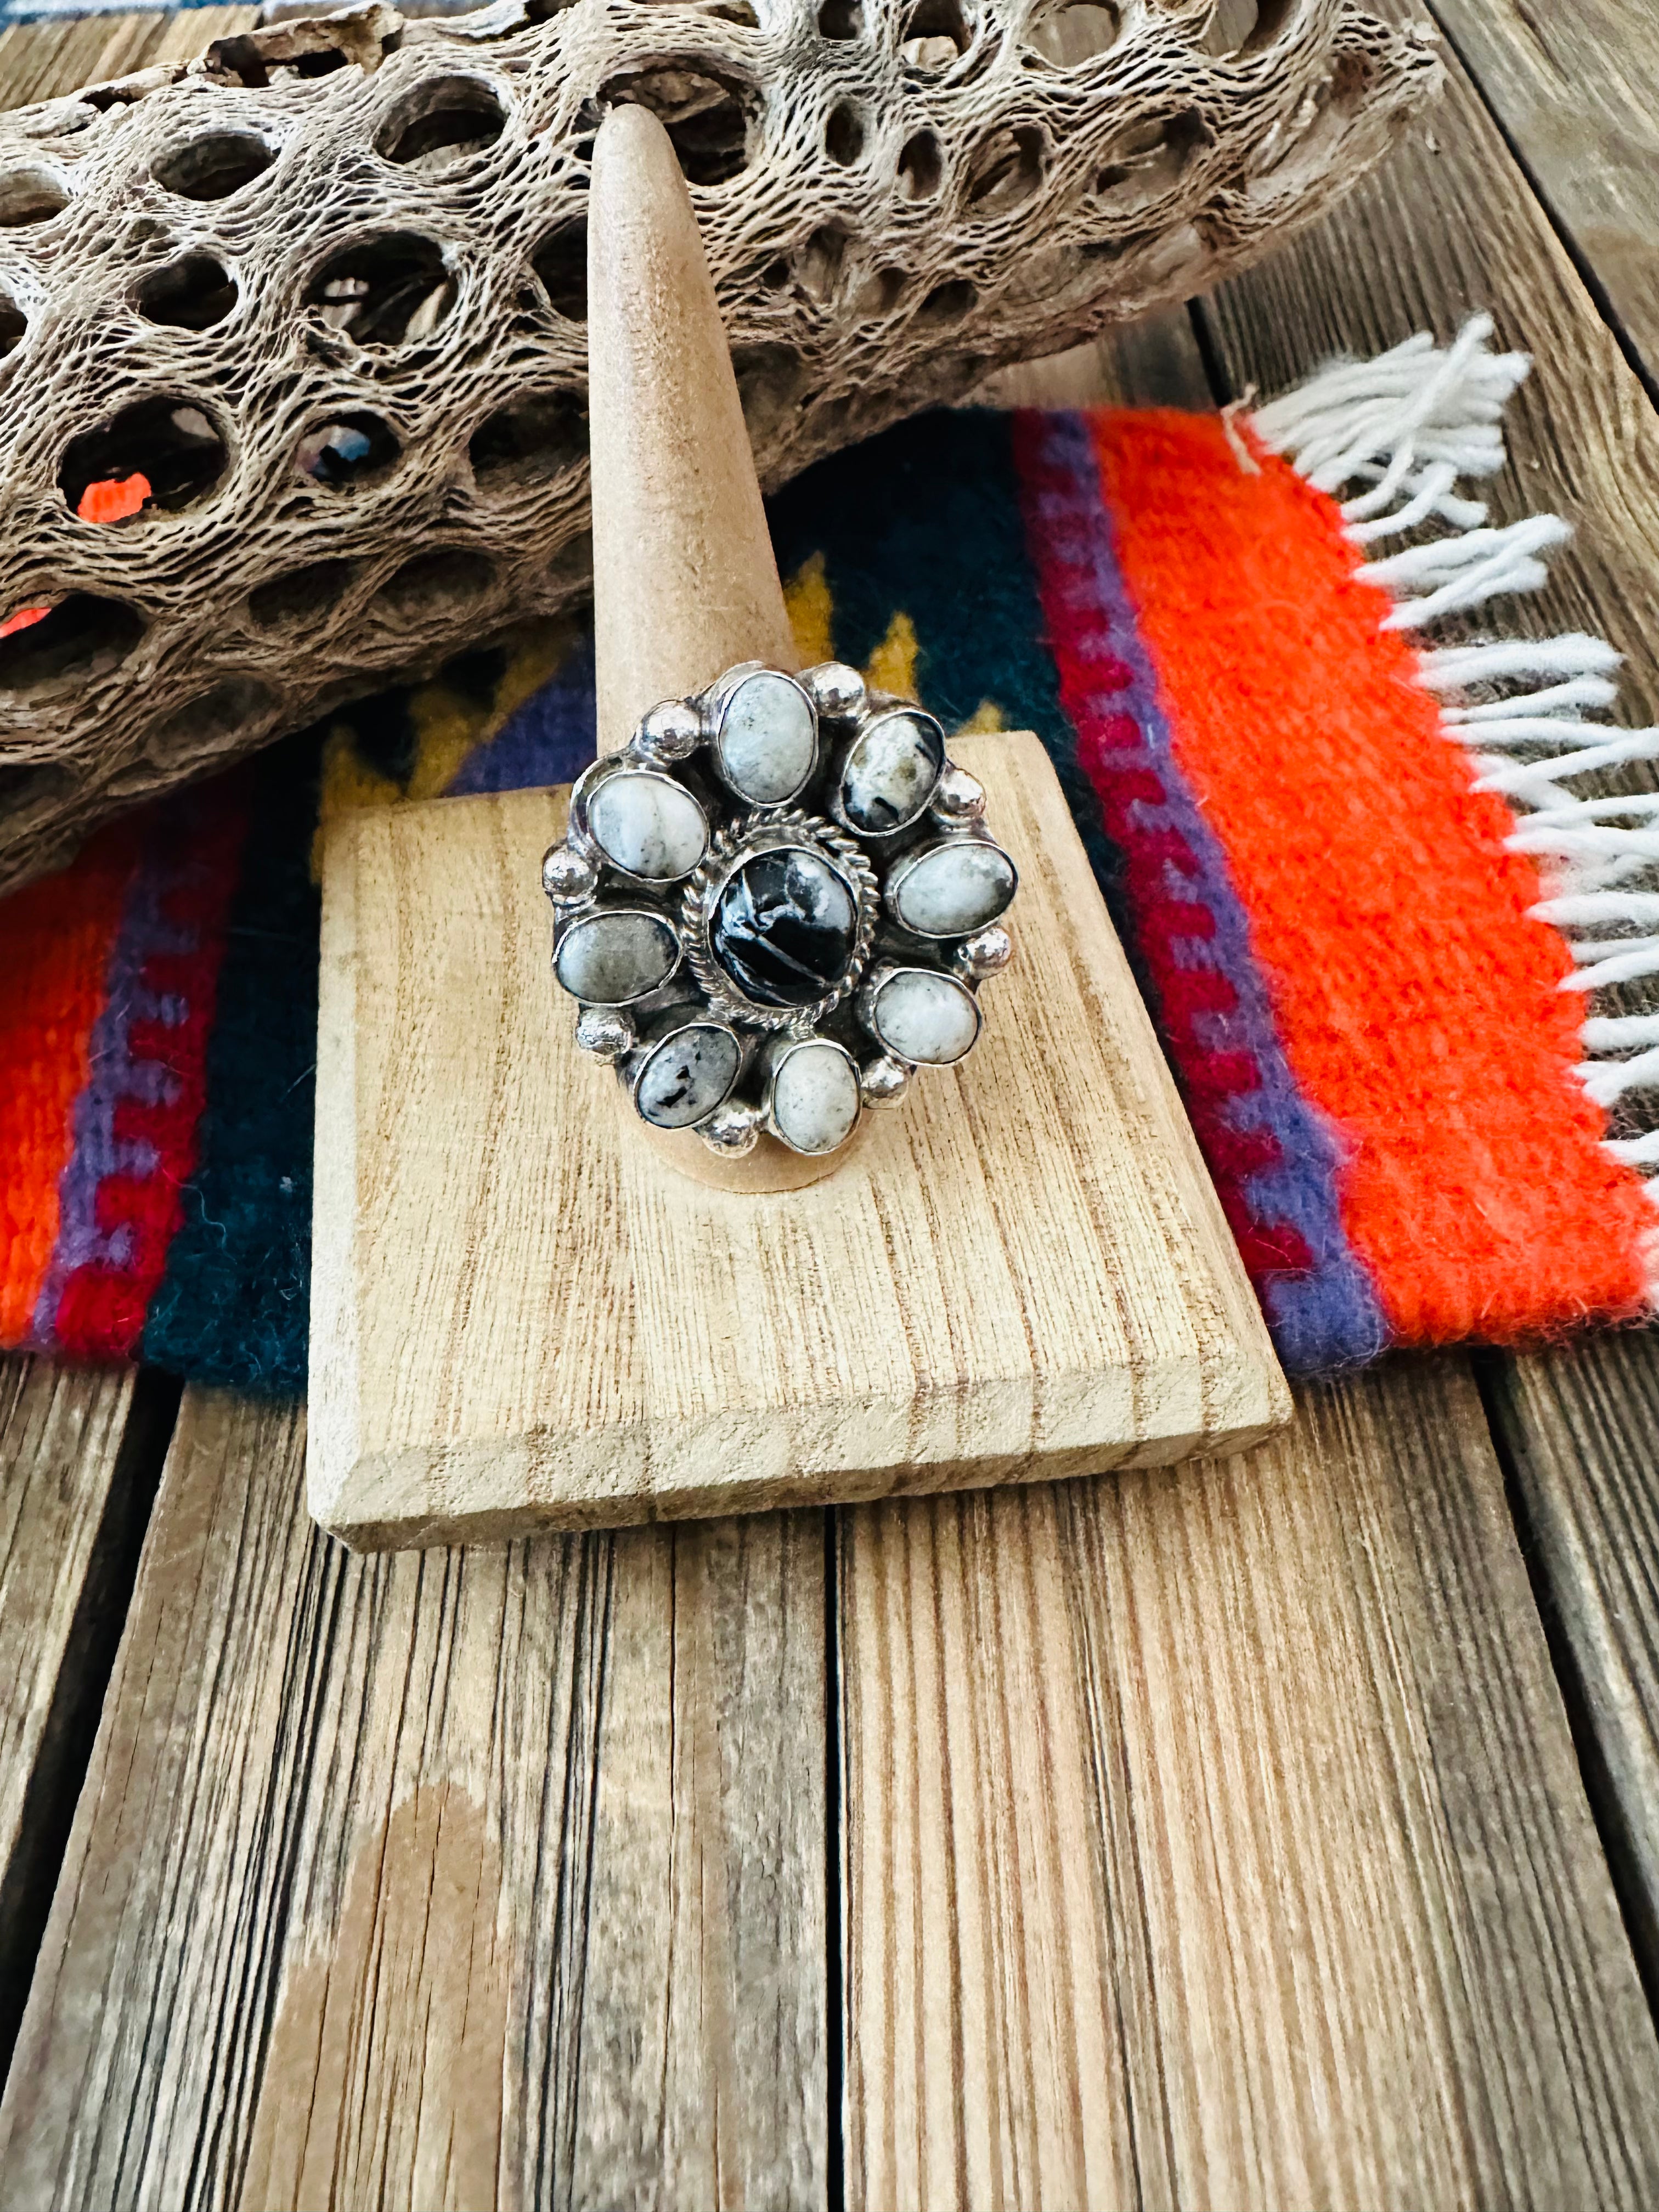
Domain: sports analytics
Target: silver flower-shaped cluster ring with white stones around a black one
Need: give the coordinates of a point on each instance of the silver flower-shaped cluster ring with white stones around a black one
(775, 904)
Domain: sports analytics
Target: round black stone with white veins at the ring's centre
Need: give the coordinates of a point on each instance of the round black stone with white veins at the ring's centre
(786, 928)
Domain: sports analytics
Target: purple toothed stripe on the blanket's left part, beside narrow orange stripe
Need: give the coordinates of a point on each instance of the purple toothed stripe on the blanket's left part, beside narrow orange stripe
(116, 1076)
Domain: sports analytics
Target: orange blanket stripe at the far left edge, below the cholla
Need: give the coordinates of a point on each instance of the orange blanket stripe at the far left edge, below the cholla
(59, 939)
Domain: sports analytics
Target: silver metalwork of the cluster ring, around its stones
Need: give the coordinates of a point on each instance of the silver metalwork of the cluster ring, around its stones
(678, 742)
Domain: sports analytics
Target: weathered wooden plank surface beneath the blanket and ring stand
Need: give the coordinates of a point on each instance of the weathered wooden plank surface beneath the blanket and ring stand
(1204, 1837)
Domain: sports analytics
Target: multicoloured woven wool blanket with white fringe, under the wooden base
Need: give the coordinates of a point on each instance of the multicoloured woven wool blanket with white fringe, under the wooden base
(1333, 822)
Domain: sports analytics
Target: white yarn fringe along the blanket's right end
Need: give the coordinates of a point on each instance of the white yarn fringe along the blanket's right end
(1415, 426)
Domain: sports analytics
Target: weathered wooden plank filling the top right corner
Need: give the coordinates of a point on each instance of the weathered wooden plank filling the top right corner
(1576, 92)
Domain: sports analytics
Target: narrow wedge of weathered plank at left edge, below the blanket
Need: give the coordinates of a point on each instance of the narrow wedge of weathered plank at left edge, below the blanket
(79, 1459)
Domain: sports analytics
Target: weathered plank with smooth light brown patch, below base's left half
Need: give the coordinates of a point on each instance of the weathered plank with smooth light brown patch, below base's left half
(477, 1881)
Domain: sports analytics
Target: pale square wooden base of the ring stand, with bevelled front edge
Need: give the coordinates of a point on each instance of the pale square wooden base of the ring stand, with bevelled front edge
(525, 1319)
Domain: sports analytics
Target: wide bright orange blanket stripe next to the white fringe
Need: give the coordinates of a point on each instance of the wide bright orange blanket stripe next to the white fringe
(1419, 1005)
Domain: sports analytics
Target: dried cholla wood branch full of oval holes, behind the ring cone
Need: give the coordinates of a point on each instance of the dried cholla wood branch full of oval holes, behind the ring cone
(304, 317)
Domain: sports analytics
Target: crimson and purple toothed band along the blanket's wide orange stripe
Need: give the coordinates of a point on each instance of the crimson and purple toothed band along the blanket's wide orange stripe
(1326, 1315)
